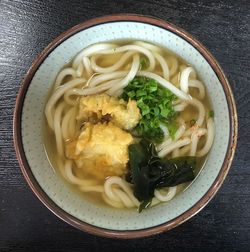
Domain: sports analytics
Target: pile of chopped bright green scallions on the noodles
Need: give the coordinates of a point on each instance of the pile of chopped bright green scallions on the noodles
(155, 103)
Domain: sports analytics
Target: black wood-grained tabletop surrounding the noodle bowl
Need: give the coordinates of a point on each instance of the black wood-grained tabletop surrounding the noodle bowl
(26, 27)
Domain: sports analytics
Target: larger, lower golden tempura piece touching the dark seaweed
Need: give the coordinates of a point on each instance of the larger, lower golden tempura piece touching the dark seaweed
(101, 150)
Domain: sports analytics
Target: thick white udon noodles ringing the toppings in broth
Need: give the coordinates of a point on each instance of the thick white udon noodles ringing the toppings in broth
(108, 68)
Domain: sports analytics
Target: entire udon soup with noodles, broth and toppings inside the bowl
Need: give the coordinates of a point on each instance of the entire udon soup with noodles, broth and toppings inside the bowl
(128, 123)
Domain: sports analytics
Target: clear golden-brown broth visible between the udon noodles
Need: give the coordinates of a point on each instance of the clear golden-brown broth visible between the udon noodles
(58, 162)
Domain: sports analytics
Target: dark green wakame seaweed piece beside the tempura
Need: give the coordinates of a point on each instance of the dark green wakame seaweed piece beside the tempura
(149, 172)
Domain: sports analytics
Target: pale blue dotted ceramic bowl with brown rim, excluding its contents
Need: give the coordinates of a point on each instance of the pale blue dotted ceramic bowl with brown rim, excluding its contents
(29, 117)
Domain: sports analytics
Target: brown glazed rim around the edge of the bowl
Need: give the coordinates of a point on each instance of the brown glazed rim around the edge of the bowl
(125, 234)
